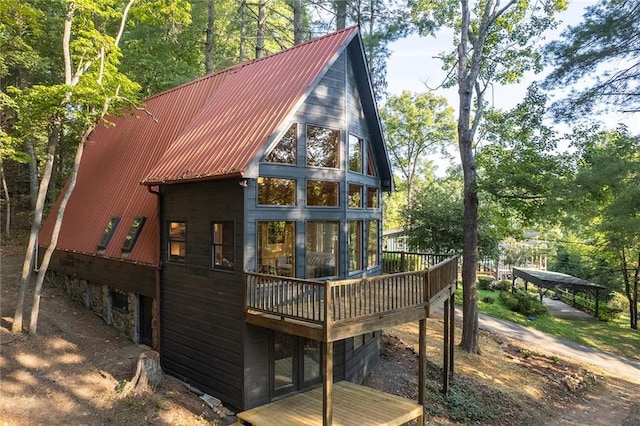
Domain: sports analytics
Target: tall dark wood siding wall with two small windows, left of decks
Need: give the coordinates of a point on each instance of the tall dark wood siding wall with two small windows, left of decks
(202, 324)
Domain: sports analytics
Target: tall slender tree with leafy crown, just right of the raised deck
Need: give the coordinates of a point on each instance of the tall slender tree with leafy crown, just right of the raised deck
(495, 43)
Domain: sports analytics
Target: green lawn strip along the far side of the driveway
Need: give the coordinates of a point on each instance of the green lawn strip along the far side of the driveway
(613, 337)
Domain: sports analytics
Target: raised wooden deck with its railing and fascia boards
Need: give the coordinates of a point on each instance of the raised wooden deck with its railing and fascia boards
(335, 310)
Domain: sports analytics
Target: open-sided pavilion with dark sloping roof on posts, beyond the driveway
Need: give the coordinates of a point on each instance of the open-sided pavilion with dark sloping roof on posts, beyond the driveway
(551, 280)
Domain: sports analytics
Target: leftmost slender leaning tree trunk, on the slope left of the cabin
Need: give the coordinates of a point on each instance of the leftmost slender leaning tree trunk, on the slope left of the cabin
(29, 260)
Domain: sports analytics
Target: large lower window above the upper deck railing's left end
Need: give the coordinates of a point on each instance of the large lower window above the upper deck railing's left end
(276, 248)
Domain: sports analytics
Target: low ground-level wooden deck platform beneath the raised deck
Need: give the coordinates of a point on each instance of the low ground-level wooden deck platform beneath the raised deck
(353, 405)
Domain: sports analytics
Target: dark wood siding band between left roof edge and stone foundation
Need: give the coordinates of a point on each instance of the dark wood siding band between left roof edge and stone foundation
(115, 273)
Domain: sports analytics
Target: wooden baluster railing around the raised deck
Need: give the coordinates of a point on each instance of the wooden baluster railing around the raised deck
(347, 300)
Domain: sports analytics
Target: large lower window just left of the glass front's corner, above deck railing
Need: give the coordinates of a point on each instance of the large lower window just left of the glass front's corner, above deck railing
(322, 249)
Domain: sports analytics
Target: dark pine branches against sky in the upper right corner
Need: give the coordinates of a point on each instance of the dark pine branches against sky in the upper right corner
(599, 59)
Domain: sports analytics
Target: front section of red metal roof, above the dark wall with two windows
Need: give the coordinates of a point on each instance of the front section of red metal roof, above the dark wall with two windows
(233, 125)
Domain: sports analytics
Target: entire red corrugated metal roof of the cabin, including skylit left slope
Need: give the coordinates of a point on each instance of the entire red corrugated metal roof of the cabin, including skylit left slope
(211, 127)
